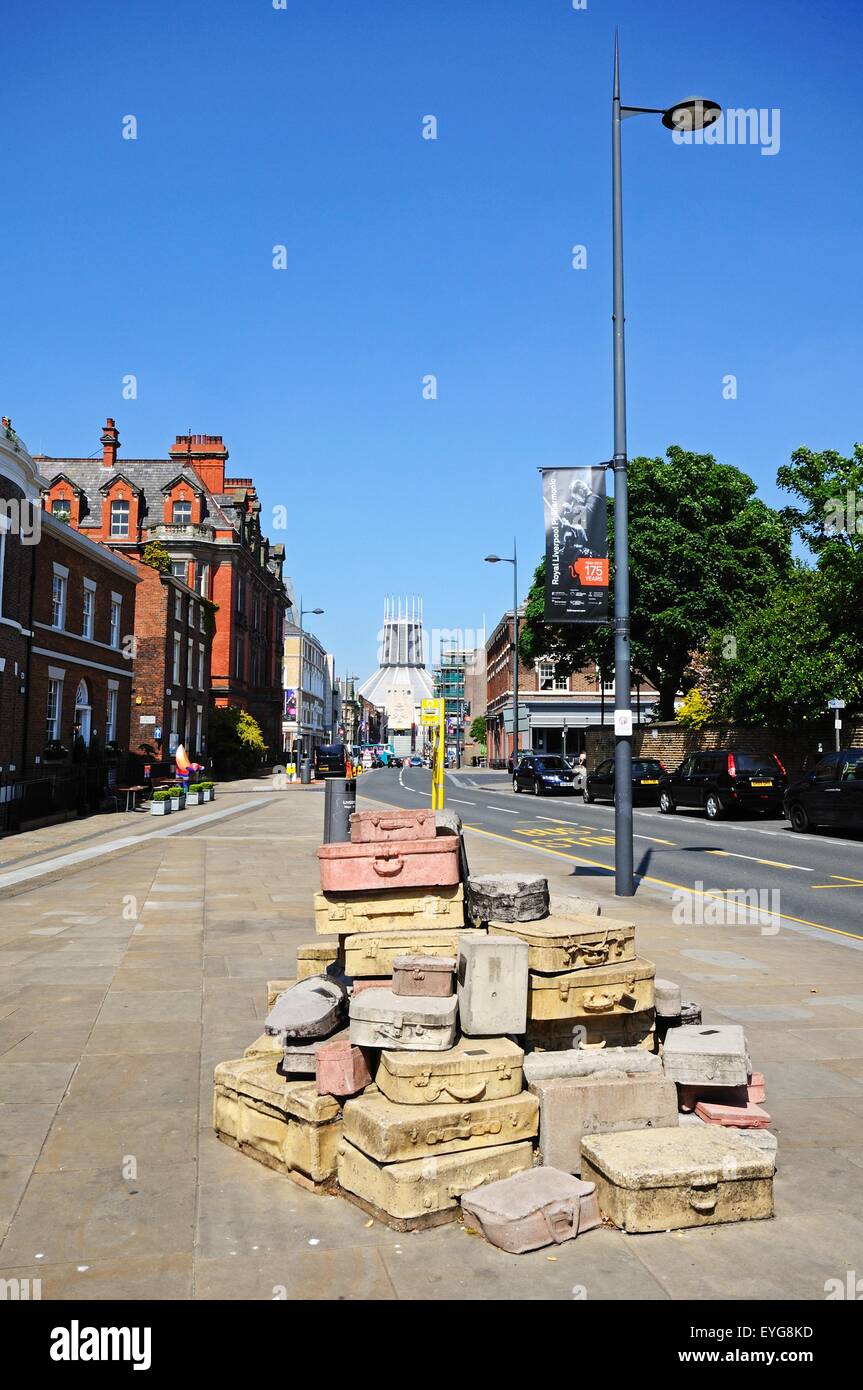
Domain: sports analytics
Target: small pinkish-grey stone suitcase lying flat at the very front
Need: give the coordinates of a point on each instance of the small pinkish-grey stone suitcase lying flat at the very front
(539, 1207)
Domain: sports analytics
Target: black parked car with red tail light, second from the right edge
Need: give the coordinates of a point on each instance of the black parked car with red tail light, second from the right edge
(726, 780)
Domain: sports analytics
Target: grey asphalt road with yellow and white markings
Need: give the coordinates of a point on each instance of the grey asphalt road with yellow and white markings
(815, 881)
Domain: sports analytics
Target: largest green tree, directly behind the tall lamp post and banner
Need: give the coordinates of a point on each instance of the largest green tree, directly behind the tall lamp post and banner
(702, 550)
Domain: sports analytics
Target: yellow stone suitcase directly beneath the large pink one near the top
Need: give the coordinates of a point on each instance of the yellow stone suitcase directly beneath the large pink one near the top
(398, 910)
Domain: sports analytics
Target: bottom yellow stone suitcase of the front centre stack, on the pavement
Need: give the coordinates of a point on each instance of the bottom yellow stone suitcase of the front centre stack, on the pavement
(426, 1192)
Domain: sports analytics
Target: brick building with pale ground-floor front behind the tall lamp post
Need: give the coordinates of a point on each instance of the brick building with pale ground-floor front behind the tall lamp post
(557, 710)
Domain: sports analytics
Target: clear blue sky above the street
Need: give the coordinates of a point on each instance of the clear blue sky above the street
(411, 256)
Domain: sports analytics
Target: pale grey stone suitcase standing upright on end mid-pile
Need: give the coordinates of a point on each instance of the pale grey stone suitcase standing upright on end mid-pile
(493, 985)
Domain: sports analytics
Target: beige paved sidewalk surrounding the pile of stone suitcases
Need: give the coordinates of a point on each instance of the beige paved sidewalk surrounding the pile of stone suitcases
(127, 979)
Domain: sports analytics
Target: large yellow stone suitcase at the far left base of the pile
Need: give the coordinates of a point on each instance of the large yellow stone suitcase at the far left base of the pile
(286, 1125)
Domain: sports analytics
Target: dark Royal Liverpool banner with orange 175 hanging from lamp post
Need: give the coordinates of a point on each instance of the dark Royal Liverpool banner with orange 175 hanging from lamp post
(576, 546)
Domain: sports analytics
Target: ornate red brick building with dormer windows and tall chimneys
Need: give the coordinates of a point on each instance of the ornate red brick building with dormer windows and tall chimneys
(211, 528)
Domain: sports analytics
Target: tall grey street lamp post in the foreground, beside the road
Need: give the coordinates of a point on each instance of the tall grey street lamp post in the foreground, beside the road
(691, 115)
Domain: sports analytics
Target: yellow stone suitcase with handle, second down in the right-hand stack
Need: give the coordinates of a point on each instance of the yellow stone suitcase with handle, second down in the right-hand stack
(604, 992)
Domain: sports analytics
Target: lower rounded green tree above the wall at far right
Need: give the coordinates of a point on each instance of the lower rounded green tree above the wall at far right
(787, 660)
